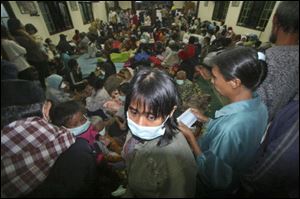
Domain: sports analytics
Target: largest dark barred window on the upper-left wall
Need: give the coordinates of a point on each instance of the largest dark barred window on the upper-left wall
(56, 16)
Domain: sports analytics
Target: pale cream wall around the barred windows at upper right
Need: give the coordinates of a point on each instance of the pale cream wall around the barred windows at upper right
(205, 13)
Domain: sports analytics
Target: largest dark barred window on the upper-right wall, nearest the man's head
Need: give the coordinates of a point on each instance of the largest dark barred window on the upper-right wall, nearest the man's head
(255, 14)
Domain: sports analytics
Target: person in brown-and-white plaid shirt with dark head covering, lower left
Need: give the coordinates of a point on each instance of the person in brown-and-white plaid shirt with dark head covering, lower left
(30, 145)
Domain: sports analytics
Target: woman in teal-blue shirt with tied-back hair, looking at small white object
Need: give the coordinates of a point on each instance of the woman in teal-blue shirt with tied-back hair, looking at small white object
(228, 146)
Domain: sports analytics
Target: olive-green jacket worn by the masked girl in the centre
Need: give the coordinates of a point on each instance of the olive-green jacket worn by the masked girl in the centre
(168, 171)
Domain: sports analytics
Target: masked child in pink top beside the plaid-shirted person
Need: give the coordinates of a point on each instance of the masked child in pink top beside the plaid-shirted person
(70, 114)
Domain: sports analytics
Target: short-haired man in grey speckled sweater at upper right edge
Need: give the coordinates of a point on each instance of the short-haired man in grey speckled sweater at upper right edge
(281, 83)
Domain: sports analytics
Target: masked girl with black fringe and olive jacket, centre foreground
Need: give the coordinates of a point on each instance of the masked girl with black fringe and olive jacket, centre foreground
(159, 161)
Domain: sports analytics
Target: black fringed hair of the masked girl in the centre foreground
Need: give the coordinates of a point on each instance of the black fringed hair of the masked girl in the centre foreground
(156, 90)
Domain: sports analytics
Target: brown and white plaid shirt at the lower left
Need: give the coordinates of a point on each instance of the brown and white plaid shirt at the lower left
(29, 148)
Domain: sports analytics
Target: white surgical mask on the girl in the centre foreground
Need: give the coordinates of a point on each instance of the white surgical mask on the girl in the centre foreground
(146, 132)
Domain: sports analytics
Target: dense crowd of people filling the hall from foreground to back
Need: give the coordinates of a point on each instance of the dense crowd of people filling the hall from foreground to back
(115, 132)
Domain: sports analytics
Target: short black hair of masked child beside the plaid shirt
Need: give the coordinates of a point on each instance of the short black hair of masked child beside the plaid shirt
(61, 113)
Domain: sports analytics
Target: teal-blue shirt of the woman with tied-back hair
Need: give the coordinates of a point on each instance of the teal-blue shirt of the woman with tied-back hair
(230, 142)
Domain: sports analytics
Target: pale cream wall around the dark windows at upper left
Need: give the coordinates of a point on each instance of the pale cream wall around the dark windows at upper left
(99, 11)
